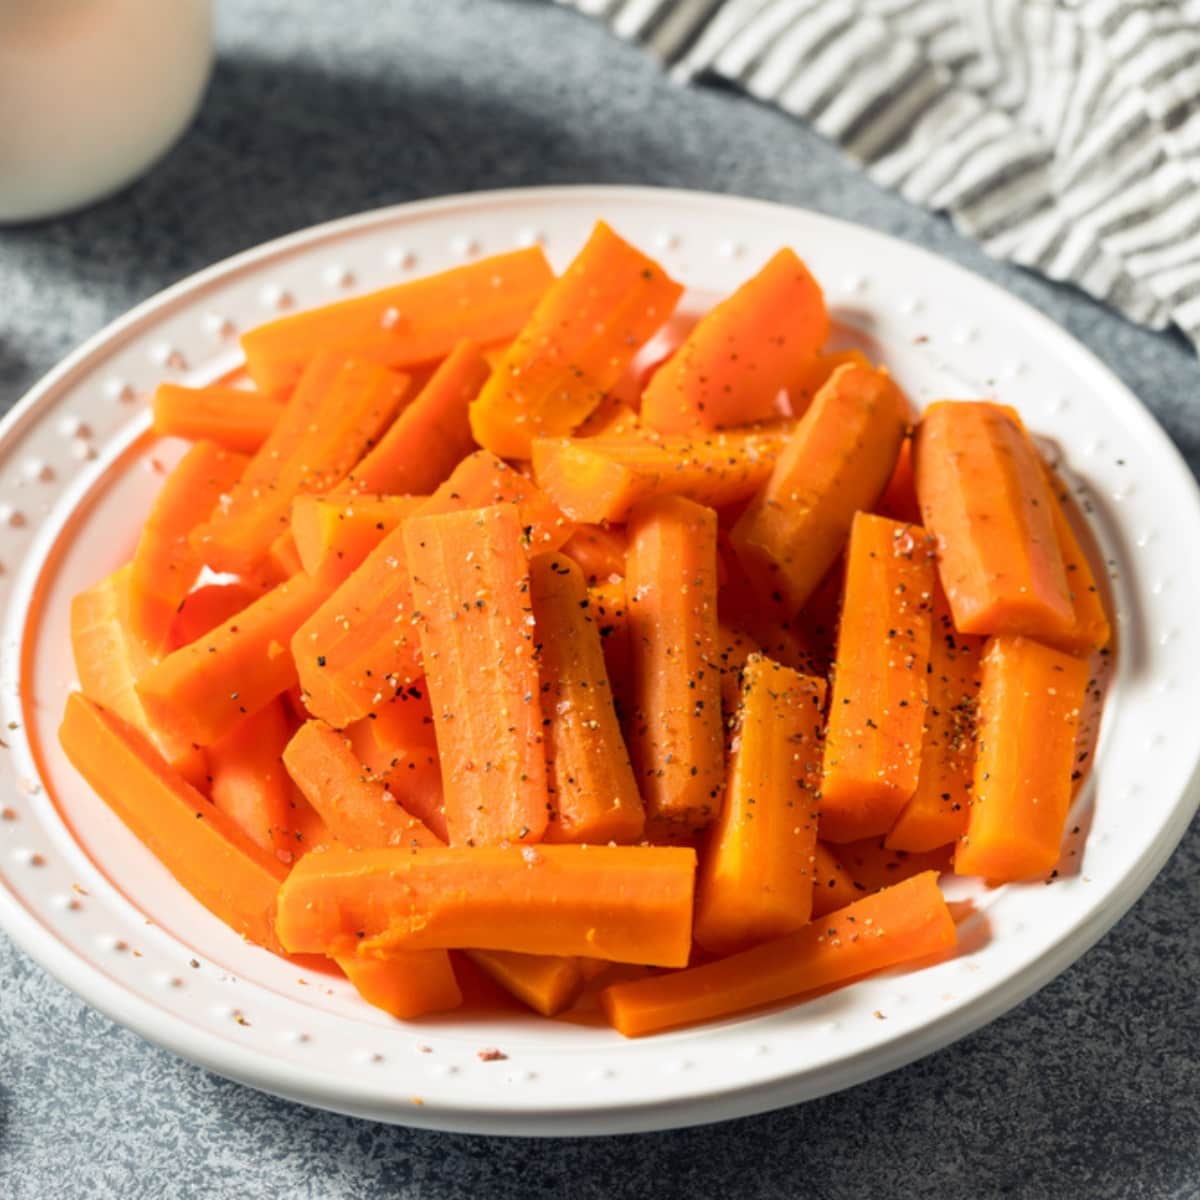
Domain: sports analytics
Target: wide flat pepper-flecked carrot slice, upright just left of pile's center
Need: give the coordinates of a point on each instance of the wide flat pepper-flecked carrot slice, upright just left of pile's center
(471, 586)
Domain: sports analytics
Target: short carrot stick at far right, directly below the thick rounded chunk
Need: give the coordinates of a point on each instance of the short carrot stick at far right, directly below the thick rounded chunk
(1029, 715)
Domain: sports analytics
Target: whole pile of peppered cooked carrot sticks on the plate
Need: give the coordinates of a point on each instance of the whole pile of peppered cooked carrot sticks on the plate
(461, 646)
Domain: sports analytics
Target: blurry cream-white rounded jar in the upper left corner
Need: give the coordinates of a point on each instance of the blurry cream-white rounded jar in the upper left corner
(92, 93)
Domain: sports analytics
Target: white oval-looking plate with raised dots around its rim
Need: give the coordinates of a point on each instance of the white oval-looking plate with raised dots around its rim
(87, 902)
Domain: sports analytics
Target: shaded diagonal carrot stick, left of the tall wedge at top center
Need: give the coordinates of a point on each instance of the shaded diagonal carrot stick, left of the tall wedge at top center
(430, 437)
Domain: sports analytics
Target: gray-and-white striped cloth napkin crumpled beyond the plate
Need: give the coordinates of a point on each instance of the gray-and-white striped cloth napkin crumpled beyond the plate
(1064, 136)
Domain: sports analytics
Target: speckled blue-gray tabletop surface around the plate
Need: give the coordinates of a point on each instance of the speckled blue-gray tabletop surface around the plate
(1089, 1090)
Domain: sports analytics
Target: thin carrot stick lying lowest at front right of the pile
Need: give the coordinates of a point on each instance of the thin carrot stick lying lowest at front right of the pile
(901, 925)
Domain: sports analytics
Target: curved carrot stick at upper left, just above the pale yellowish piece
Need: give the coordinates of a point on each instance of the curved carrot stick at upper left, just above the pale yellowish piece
(165, 565)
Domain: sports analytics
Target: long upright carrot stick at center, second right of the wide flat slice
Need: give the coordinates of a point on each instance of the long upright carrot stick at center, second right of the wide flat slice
(675, 727)
